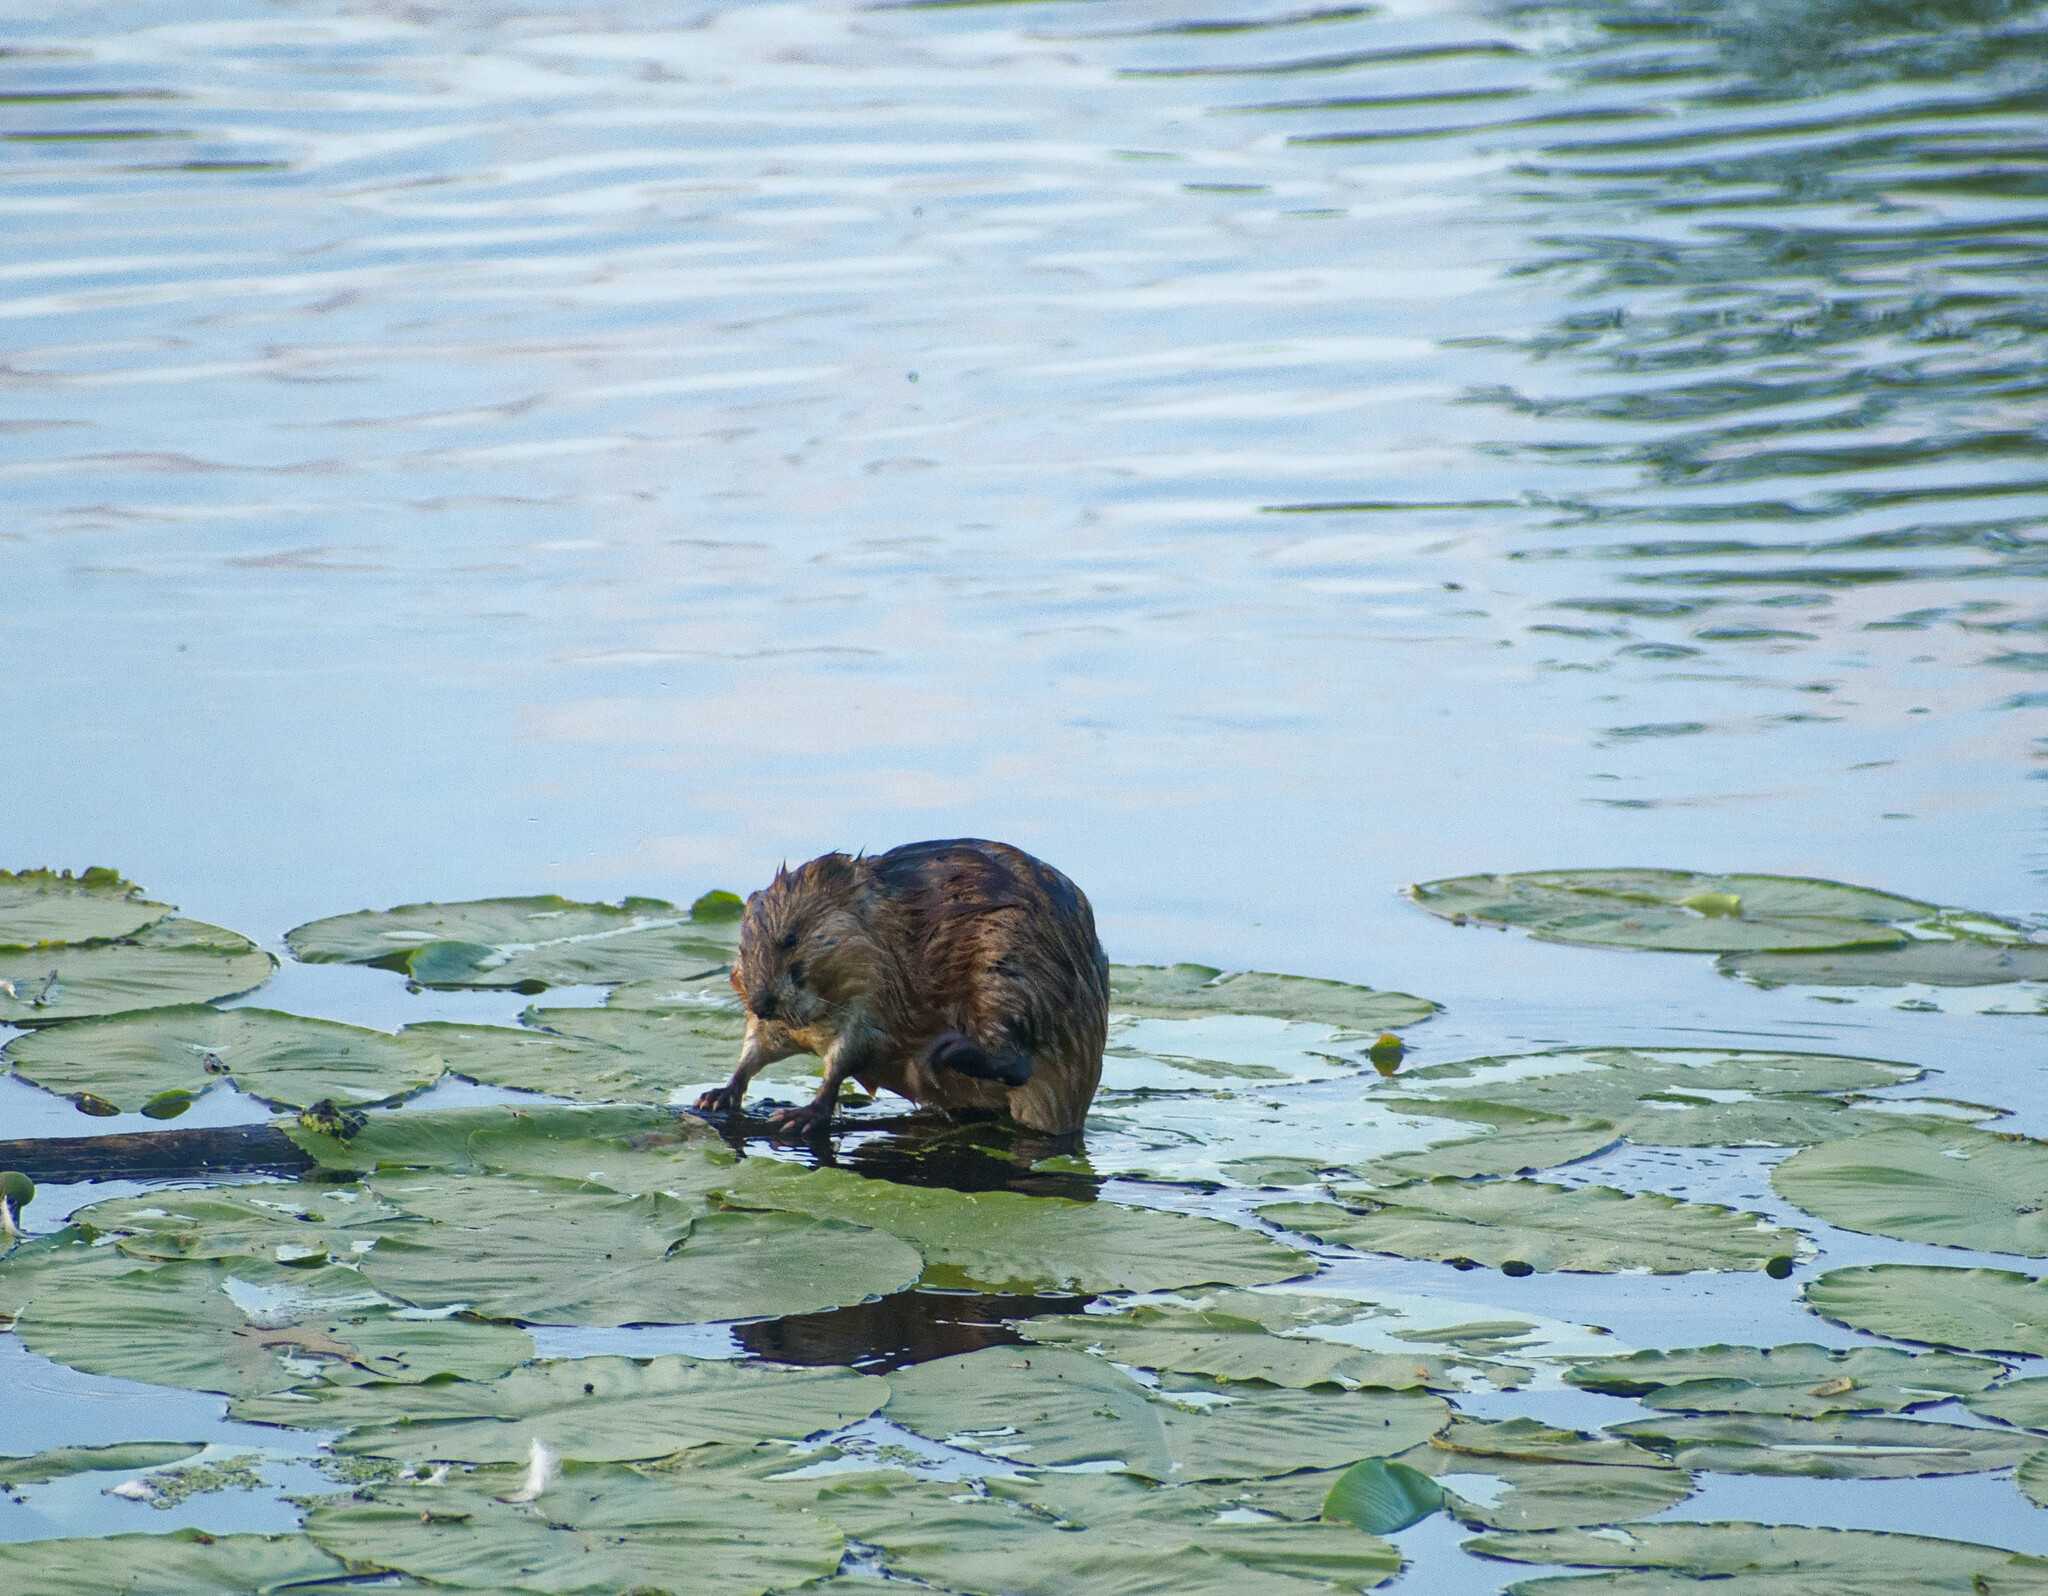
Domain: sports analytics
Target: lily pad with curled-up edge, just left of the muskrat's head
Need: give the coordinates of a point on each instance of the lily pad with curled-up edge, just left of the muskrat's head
(521, 943)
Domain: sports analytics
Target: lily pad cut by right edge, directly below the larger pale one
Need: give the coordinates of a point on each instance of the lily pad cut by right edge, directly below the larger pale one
(1973, 1310)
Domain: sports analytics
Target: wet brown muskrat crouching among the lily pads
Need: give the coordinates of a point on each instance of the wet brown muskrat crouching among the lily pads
(957, 974)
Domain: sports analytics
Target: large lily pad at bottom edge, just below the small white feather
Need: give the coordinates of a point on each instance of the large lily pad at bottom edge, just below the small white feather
(597, 1531)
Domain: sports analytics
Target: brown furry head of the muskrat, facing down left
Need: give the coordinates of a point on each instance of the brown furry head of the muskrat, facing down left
(800, 939)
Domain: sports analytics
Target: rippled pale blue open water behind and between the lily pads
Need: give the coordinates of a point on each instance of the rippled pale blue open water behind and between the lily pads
(1252, 458)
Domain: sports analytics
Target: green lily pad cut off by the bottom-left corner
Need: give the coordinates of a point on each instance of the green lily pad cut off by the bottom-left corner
(177, 1564)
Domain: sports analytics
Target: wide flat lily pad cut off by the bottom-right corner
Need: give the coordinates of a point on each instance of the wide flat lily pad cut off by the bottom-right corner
(1764, 1560)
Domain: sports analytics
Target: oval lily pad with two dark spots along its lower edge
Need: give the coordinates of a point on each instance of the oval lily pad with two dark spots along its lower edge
(1590, 1230)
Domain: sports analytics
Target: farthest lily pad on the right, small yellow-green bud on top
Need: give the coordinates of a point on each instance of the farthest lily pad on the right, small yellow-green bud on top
(1678, 911)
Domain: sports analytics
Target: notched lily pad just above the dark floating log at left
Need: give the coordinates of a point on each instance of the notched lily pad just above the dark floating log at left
(134, 1060)
